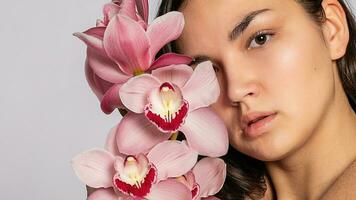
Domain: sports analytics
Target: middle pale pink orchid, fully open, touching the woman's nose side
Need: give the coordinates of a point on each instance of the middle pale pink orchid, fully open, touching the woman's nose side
(172, 99)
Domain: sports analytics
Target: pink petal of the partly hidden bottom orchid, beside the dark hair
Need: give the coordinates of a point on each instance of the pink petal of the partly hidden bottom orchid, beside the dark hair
(210, 174)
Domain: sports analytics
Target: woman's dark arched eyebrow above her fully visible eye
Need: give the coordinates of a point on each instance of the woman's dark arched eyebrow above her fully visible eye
(241, 27)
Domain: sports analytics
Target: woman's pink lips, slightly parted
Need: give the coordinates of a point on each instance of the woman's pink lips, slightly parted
(253, 128)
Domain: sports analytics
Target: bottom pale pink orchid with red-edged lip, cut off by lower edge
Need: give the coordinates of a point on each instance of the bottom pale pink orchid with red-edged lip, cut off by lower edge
(137, 177)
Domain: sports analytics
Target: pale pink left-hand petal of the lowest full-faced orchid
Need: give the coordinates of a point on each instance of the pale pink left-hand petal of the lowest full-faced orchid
(95, 168)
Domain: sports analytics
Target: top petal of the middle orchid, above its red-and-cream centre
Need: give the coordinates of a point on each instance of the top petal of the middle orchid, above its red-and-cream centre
(177, 74)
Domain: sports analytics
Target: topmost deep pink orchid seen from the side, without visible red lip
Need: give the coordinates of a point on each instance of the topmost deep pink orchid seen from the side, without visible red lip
(124, 49)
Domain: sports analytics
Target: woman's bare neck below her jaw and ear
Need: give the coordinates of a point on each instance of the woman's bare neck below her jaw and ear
(308, 172)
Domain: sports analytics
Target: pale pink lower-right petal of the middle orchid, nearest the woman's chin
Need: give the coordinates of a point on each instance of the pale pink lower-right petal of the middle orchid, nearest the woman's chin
(206, 132)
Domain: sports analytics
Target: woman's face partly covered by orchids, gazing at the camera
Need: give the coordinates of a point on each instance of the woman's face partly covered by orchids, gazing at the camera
(275, 71)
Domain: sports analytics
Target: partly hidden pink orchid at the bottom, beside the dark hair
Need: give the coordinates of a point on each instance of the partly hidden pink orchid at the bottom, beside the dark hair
(206, 178)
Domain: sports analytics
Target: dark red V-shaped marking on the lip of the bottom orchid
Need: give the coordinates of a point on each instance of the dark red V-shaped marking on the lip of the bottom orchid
(134, 190)
